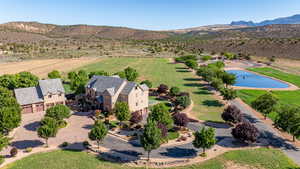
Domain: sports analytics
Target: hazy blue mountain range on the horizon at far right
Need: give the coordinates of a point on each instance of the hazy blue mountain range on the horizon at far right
(295, 19)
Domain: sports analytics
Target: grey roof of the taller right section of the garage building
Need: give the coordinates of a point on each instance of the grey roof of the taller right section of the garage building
(53, 86)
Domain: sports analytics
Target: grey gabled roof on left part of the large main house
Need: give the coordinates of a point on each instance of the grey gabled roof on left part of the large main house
(102, 83)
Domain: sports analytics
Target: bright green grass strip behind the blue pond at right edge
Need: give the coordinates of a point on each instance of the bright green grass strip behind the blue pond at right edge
(294, 79)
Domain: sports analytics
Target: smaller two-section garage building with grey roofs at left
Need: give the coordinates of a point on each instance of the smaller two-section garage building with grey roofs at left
(37, 99)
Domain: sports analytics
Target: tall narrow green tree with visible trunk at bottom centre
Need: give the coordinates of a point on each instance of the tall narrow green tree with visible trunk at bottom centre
(151, 137)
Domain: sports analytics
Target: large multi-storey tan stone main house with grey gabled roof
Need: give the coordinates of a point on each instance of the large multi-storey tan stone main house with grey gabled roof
(105, 91)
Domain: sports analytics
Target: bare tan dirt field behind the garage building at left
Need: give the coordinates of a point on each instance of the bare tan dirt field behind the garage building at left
(42, 67)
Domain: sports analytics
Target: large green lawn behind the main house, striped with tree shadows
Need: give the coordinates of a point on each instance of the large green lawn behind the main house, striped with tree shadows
(160, 70)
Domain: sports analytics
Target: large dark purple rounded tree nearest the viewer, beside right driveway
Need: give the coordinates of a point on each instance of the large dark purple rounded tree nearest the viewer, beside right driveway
(245, 132)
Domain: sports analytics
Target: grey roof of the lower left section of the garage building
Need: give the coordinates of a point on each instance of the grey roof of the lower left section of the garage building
(28, 95)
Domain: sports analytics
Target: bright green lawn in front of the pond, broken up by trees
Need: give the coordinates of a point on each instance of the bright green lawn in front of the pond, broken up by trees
(284, 97)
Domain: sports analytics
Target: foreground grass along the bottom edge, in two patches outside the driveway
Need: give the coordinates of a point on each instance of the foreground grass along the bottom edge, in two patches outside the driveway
(256, 158)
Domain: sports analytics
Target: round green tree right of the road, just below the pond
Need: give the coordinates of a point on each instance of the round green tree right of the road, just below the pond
(265, 103)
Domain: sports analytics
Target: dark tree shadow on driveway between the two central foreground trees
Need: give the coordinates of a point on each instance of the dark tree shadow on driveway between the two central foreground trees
(177, 152)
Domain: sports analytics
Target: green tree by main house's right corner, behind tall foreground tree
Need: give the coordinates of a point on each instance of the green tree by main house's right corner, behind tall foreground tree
(160, 113)
